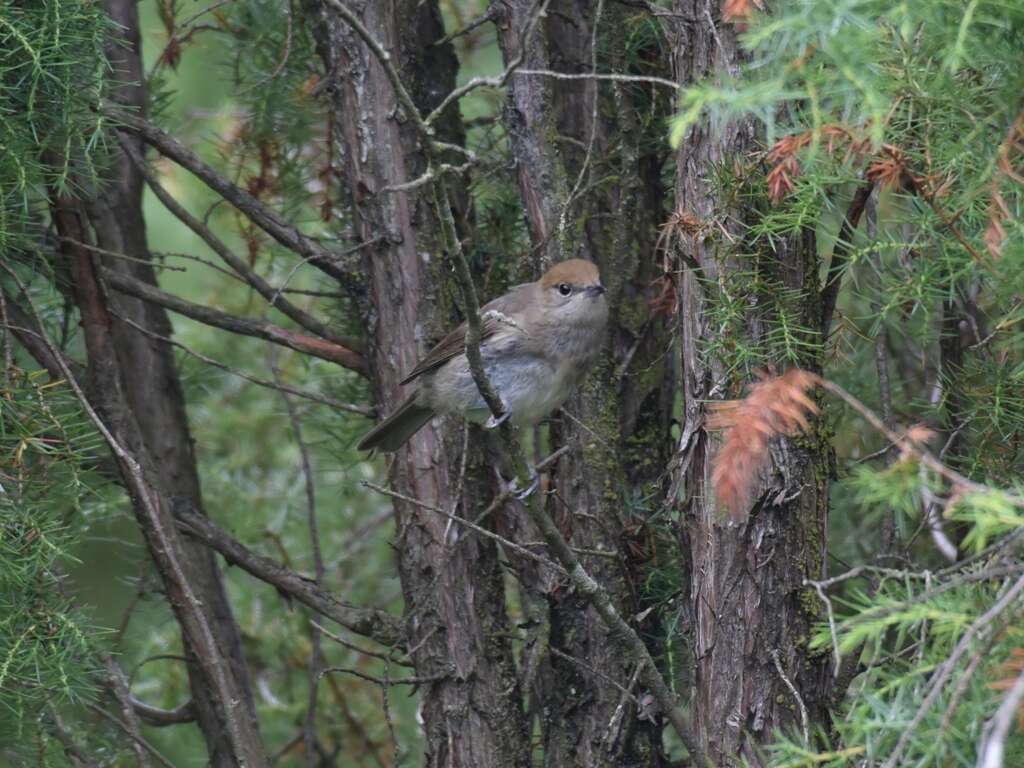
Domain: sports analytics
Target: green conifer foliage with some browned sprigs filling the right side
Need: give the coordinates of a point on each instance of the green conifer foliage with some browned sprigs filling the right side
(922, 103)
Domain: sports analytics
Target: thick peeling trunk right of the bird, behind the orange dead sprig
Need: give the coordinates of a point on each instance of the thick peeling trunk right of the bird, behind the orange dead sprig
(747, 595)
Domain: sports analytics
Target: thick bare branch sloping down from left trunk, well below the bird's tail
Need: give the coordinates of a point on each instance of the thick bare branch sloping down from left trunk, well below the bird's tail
(371, 623)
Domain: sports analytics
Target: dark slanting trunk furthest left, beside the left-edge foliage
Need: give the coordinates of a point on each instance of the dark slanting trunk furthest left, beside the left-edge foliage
(136, 387)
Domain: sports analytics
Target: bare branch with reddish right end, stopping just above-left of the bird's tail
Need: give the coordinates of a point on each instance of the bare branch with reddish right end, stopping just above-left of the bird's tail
(246, 327)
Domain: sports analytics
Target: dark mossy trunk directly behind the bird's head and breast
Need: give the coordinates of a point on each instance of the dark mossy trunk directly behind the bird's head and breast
(615, 225)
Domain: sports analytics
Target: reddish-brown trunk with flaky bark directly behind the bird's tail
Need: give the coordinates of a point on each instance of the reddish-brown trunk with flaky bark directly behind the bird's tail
(455, 601)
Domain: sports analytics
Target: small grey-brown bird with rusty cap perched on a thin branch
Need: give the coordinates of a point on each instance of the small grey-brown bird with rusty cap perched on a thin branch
(538, 343)
